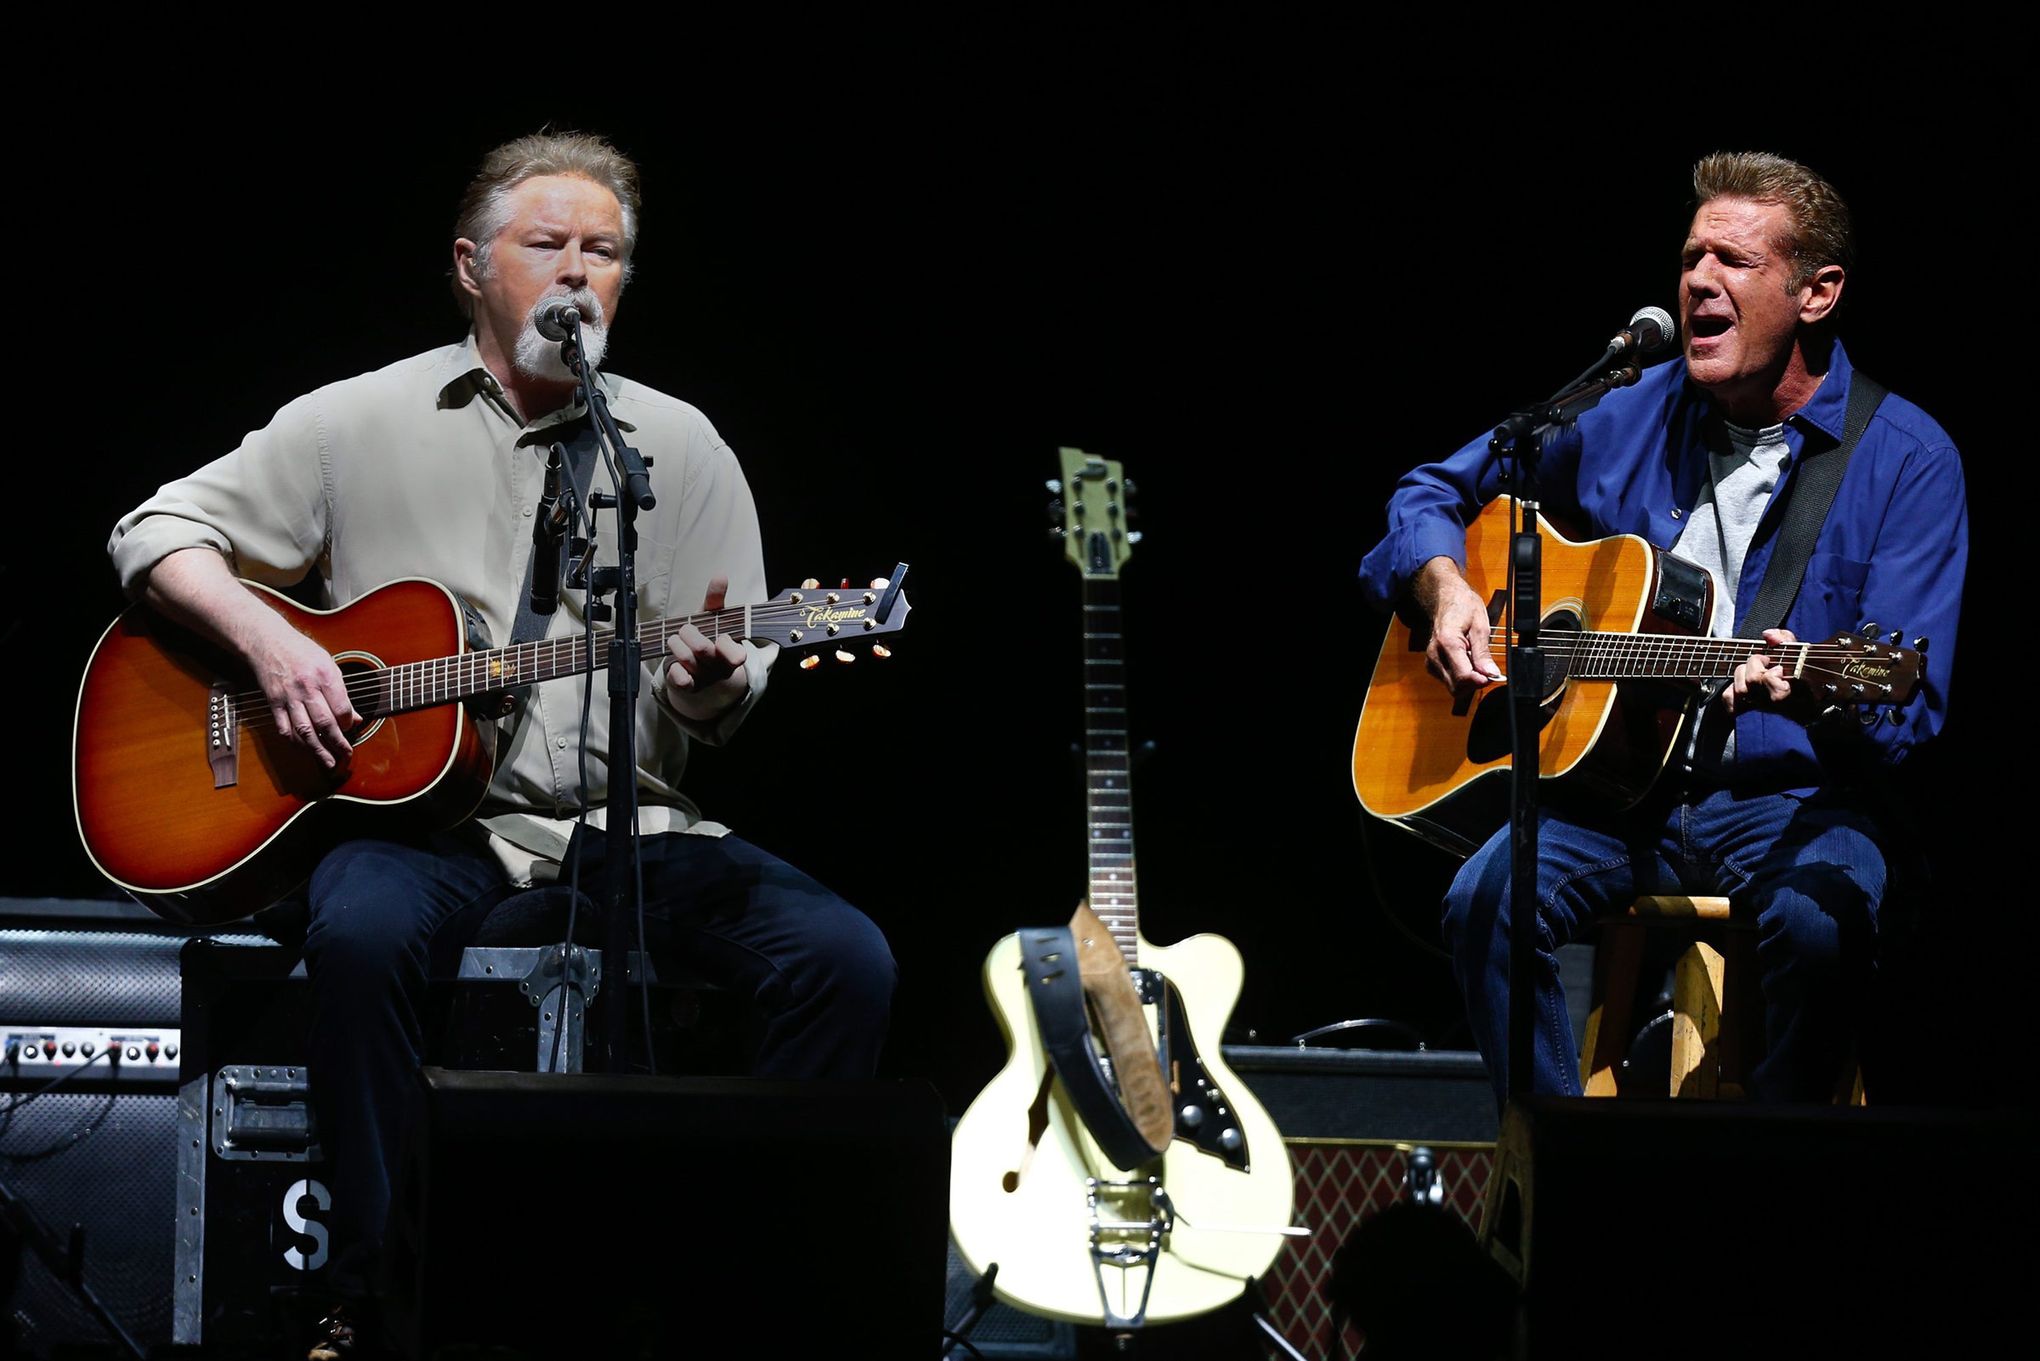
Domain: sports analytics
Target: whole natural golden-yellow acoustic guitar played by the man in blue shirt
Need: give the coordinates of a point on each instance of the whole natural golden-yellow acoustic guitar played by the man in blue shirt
(1625, 672)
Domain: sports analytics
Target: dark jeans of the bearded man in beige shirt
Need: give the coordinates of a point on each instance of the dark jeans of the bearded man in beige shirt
(817, 970)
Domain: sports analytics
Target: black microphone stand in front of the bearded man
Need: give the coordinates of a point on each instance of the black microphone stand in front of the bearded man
(625, 883)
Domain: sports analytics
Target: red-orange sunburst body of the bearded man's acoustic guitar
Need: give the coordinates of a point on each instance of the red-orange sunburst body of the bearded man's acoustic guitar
(150, 803)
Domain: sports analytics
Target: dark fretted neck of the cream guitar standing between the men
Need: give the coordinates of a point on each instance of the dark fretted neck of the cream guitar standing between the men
(1109, 768)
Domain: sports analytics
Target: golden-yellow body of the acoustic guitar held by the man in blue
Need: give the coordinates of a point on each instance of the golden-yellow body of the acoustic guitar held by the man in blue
(1439, 766)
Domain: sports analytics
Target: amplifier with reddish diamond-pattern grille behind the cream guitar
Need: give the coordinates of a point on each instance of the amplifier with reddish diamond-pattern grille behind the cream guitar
(1351, 1123)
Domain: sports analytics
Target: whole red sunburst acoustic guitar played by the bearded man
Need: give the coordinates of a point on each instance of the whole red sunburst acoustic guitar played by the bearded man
(191, 801)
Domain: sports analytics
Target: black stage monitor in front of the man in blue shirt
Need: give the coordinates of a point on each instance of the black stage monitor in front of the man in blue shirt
(1731, 1229)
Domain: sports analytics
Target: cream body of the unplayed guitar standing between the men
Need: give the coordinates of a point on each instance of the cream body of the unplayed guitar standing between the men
(1021, 1166)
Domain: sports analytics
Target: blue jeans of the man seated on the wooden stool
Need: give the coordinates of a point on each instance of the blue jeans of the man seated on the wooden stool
(1813, 870)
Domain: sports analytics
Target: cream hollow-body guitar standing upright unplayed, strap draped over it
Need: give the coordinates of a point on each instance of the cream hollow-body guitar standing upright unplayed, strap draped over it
(1115, 1172)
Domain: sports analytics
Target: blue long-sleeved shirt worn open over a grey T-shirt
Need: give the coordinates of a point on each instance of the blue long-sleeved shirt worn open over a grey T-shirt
(1894, 546)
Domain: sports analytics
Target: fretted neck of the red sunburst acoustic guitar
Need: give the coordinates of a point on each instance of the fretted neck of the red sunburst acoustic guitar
(450, 680)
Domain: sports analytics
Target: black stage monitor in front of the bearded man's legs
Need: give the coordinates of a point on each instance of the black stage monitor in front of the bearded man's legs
(613, 1217)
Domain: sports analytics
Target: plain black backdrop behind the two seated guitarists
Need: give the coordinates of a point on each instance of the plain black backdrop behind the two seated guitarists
(1247, 270)
